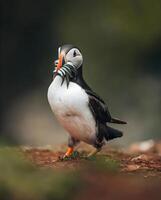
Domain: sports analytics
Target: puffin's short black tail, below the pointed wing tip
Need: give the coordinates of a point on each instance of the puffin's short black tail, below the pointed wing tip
(112, 133)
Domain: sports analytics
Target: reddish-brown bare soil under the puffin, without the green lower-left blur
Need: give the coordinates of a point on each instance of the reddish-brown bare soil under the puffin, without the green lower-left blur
(131, 173)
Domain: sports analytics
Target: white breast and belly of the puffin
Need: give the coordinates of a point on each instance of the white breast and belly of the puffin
(70, 106)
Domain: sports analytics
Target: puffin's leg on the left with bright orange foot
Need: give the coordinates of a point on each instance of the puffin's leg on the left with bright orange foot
(72, 142)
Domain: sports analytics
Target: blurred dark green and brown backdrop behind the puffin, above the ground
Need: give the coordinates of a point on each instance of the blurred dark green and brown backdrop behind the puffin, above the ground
(121, 45)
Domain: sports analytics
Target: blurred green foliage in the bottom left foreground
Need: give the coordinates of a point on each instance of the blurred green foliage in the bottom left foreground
(19, 179)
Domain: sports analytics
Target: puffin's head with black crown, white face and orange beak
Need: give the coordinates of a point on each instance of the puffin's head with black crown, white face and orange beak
(68, 54)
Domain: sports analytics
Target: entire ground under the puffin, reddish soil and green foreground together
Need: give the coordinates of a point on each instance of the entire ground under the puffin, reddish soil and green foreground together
(30, 173)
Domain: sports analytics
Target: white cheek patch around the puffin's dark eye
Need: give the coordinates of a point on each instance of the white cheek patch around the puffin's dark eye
(75, 57)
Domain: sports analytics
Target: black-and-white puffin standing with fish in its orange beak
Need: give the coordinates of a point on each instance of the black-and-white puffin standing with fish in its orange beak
(78, 109)
